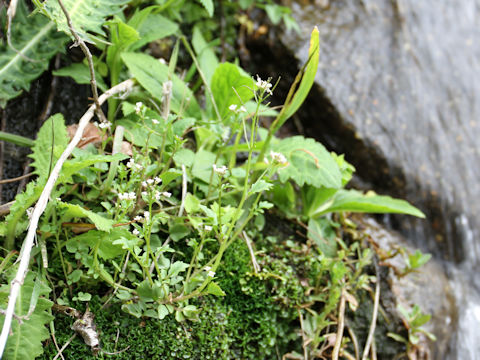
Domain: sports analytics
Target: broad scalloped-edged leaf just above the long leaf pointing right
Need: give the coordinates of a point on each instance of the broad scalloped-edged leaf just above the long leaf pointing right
(308, 163)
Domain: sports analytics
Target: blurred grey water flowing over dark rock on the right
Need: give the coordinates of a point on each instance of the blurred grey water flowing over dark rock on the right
(403, 77)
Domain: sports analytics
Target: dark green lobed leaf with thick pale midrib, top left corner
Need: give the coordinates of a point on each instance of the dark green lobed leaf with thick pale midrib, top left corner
(35, 38)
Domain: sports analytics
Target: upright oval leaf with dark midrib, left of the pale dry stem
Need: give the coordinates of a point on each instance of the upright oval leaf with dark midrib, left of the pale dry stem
(45, 144)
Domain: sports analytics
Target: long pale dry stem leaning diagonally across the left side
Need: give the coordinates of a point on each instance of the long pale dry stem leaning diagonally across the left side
(40, 208)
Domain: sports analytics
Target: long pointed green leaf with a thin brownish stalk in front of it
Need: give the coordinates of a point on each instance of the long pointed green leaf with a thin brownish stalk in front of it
(151, 74)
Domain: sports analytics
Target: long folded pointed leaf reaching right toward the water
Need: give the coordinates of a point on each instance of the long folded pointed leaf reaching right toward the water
(356, 201)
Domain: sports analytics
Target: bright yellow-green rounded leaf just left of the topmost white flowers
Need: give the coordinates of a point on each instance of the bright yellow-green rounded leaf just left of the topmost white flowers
(230, 87)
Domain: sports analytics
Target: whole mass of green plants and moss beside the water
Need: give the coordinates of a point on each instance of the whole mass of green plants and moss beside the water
(168, 228)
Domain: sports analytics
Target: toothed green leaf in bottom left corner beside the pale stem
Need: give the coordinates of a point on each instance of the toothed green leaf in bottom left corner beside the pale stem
(25, 341)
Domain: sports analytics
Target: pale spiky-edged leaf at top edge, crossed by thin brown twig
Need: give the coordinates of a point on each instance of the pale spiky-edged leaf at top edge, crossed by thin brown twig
(87, 16)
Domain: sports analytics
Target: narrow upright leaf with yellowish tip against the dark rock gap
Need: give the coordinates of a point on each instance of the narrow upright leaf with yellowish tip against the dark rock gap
(307, 75)
